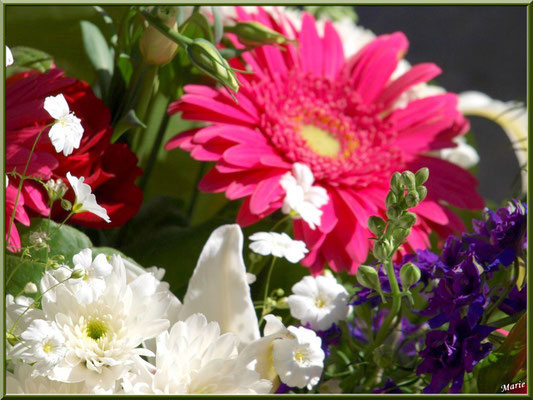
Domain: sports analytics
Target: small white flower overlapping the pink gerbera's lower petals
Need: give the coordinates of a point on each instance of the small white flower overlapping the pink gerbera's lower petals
(301, 197)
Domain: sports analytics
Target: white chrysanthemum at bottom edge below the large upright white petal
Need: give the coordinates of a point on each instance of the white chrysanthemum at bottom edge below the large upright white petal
(193, 358)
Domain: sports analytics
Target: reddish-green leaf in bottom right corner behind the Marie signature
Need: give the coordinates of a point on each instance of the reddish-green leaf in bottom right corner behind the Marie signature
(503, 364)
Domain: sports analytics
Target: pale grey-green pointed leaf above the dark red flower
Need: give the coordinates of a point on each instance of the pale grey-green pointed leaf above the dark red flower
(99, 53)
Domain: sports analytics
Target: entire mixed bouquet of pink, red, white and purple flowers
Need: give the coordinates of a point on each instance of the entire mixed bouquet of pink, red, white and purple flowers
(254, 200)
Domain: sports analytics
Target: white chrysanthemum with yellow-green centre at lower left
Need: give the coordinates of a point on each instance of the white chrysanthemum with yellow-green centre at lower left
(103, 337)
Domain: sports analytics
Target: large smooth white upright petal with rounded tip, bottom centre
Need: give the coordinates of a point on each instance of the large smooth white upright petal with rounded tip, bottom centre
(219, 288)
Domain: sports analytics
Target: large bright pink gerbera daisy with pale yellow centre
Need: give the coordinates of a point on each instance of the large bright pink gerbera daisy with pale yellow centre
(310, 105)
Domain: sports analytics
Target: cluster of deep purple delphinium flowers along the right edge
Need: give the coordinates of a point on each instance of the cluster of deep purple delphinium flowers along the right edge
(461, 295)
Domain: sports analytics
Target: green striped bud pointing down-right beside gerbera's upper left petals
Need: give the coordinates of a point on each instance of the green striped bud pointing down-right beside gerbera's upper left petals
(205, 56)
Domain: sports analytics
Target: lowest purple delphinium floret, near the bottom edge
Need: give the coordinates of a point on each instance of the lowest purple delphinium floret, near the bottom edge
(449, 354)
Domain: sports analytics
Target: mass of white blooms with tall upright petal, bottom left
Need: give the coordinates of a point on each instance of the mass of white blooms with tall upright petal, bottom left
(108, 326)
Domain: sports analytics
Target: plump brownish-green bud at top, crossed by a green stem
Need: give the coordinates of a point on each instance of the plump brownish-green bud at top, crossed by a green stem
(156, 48)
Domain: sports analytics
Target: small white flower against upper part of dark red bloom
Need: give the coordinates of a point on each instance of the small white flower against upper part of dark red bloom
(66, 133)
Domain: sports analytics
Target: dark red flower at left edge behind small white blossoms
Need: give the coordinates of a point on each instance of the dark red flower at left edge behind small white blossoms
(110, 169)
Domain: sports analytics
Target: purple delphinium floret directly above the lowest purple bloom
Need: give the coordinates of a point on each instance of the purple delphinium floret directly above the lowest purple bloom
(460, 287)
